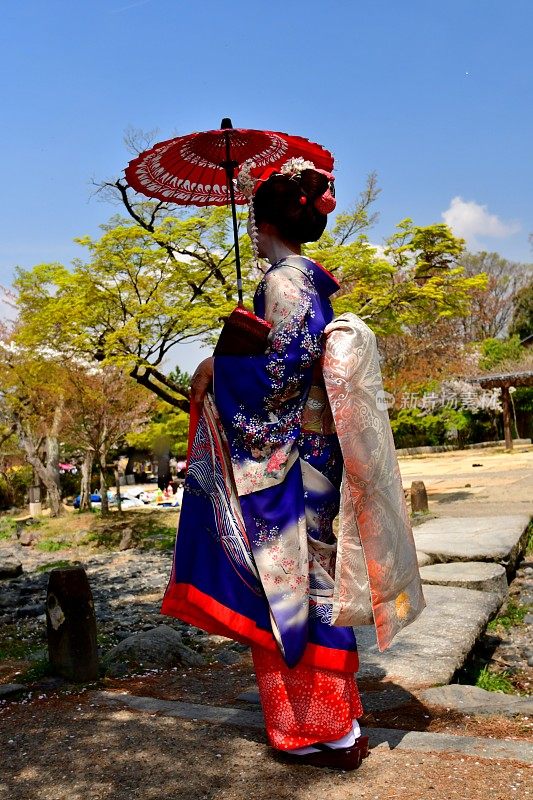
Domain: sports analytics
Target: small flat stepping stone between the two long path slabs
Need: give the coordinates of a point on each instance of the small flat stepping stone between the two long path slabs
(479, 575)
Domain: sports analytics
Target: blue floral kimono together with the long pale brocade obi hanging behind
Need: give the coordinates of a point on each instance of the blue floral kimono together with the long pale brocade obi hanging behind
(272, 460)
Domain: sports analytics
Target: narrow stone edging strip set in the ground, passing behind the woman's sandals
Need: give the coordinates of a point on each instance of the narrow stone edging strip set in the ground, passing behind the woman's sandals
(378, 737)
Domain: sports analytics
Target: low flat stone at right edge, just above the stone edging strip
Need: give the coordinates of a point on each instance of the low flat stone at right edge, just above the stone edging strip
(474, 700)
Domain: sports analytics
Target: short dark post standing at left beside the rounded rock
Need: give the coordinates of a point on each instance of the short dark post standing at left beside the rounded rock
(71, 625)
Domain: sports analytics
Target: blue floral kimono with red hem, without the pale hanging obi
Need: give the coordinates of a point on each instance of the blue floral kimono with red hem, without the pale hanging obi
(255, 550)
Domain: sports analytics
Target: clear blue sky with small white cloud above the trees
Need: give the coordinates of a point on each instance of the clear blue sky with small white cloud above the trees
(436, 96)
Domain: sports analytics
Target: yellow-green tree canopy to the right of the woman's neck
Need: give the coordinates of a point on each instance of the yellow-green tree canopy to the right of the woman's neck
(417, 279)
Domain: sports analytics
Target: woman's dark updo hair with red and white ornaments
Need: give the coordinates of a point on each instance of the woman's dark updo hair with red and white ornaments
(288, 203)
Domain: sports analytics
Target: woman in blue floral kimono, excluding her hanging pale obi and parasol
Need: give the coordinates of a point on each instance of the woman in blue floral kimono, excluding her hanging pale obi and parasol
(255, 551)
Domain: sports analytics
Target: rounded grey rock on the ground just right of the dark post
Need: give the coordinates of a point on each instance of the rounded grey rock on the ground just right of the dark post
(158, 647)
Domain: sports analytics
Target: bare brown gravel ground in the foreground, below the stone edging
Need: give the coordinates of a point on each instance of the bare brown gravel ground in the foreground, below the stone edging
(68, 749)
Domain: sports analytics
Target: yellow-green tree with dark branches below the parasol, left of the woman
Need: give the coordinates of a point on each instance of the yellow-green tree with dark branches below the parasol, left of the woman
(139, 293)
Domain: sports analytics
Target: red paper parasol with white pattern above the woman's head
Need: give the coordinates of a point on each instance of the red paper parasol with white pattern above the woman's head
(199, 169)
